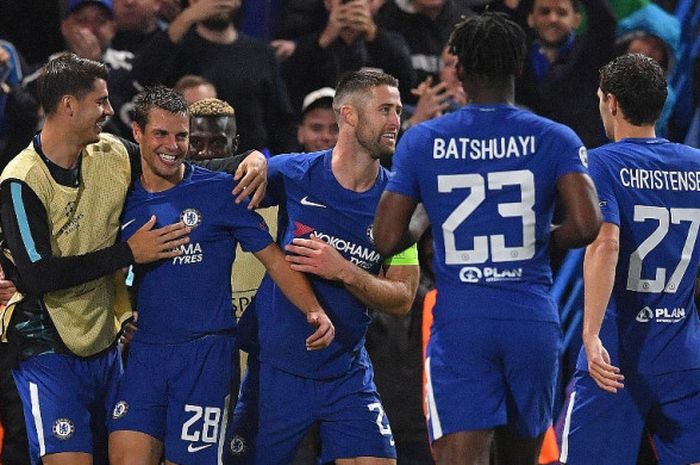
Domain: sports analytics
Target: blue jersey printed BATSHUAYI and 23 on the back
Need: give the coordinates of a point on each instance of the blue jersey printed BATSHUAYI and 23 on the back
(487, 177)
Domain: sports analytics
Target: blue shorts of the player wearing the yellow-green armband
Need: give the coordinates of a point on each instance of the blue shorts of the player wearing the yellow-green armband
(348, 409)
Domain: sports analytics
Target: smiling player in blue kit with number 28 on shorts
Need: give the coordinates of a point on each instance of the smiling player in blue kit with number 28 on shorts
(173, 397)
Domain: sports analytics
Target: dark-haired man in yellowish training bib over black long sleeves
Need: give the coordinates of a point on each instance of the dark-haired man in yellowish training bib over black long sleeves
(60, 202)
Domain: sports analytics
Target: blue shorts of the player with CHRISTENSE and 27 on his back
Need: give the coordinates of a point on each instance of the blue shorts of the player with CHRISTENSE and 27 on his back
(606, 429)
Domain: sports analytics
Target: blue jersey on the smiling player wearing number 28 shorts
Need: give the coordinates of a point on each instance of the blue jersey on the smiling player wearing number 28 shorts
(190, 295)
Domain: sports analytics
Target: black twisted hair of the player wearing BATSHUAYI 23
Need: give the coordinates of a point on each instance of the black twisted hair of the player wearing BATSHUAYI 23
(489, 46)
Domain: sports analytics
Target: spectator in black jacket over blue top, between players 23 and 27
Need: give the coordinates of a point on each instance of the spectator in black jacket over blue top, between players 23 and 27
(561, 70)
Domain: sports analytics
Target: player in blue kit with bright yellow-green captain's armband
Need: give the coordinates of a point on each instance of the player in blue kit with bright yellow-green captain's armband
(327, 201)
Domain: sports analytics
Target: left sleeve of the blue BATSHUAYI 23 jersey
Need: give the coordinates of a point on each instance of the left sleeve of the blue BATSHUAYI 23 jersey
(404, 163)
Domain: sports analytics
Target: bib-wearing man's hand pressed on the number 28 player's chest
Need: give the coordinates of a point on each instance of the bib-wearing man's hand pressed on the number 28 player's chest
(149, 245)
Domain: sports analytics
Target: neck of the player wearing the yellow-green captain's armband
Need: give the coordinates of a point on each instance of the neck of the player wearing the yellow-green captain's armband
(354, 170)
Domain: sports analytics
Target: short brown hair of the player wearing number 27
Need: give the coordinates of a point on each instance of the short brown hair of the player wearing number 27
(639, 85)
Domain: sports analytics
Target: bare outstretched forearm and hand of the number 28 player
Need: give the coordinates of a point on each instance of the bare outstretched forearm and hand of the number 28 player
(297, 289)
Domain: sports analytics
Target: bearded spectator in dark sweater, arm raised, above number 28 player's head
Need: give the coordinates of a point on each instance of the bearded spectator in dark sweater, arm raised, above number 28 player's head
(203, 40)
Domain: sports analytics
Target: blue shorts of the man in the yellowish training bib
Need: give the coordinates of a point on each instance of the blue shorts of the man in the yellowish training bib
(66, 402)
